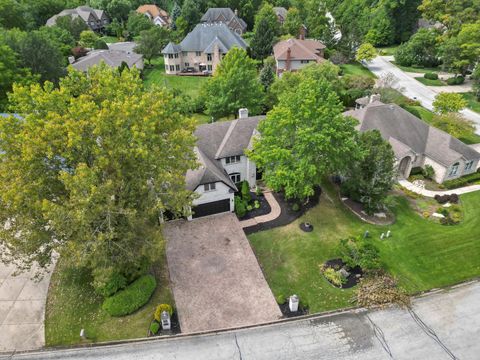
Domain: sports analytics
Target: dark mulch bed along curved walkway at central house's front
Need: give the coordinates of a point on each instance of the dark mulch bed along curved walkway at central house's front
(287, 214)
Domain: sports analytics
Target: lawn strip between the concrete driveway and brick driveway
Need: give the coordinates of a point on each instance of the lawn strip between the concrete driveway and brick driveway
(73, 305)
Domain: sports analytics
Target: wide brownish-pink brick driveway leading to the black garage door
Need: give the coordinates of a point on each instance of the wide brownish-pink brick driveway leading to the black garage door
(216, 280)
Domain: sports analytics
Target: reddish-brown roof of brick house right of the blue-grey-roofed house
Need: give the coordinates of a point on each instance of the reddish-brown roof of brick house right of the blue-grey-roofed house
(307, 49)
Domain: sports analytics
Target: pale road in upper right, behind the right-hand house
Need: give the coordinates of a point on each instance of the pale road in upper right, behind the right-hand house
(412, 88)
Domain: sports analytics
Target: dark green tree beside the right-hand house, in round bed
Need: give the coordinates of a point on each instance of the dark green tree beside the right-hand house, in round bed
(371, 173)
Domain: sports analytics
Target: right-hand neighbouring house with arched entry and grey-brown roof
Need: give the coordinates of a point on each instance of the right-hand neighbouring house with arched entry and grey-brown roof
(415, 143)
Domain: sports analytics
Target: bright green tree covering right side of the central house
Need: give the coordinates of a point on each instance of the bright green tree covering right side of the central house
(303, 139)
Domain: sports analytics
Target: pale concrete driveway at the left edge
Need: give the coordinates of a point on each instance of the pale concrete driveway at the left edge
(22, 310)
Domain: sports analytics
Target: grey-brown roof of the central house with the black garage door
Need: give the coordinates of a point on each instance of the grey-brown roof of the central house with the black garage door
(217, 141)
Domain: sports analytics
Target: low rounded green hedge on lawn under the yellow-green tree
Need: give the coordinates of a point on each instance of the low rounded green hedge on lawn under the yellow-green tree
(132, 298)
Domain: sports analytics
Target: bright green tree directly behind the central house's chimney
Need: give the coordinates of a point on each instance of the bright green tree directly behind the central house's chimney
(234, 85)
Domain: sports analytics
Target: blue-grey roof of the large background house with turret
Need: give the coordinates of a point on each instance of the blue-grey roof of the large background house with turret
(202, 36)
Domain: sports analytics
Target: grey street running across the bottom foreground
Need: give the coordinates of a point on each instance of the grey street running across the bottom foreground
(442, 325)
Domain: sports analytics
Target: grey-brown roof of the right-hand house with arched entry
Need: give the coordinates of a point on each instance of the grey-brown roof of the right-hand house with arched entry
(405, 131)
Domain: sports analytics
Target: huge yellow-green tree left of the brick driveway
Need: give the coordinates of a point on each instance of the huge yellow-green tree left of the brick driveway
(89, 168)
